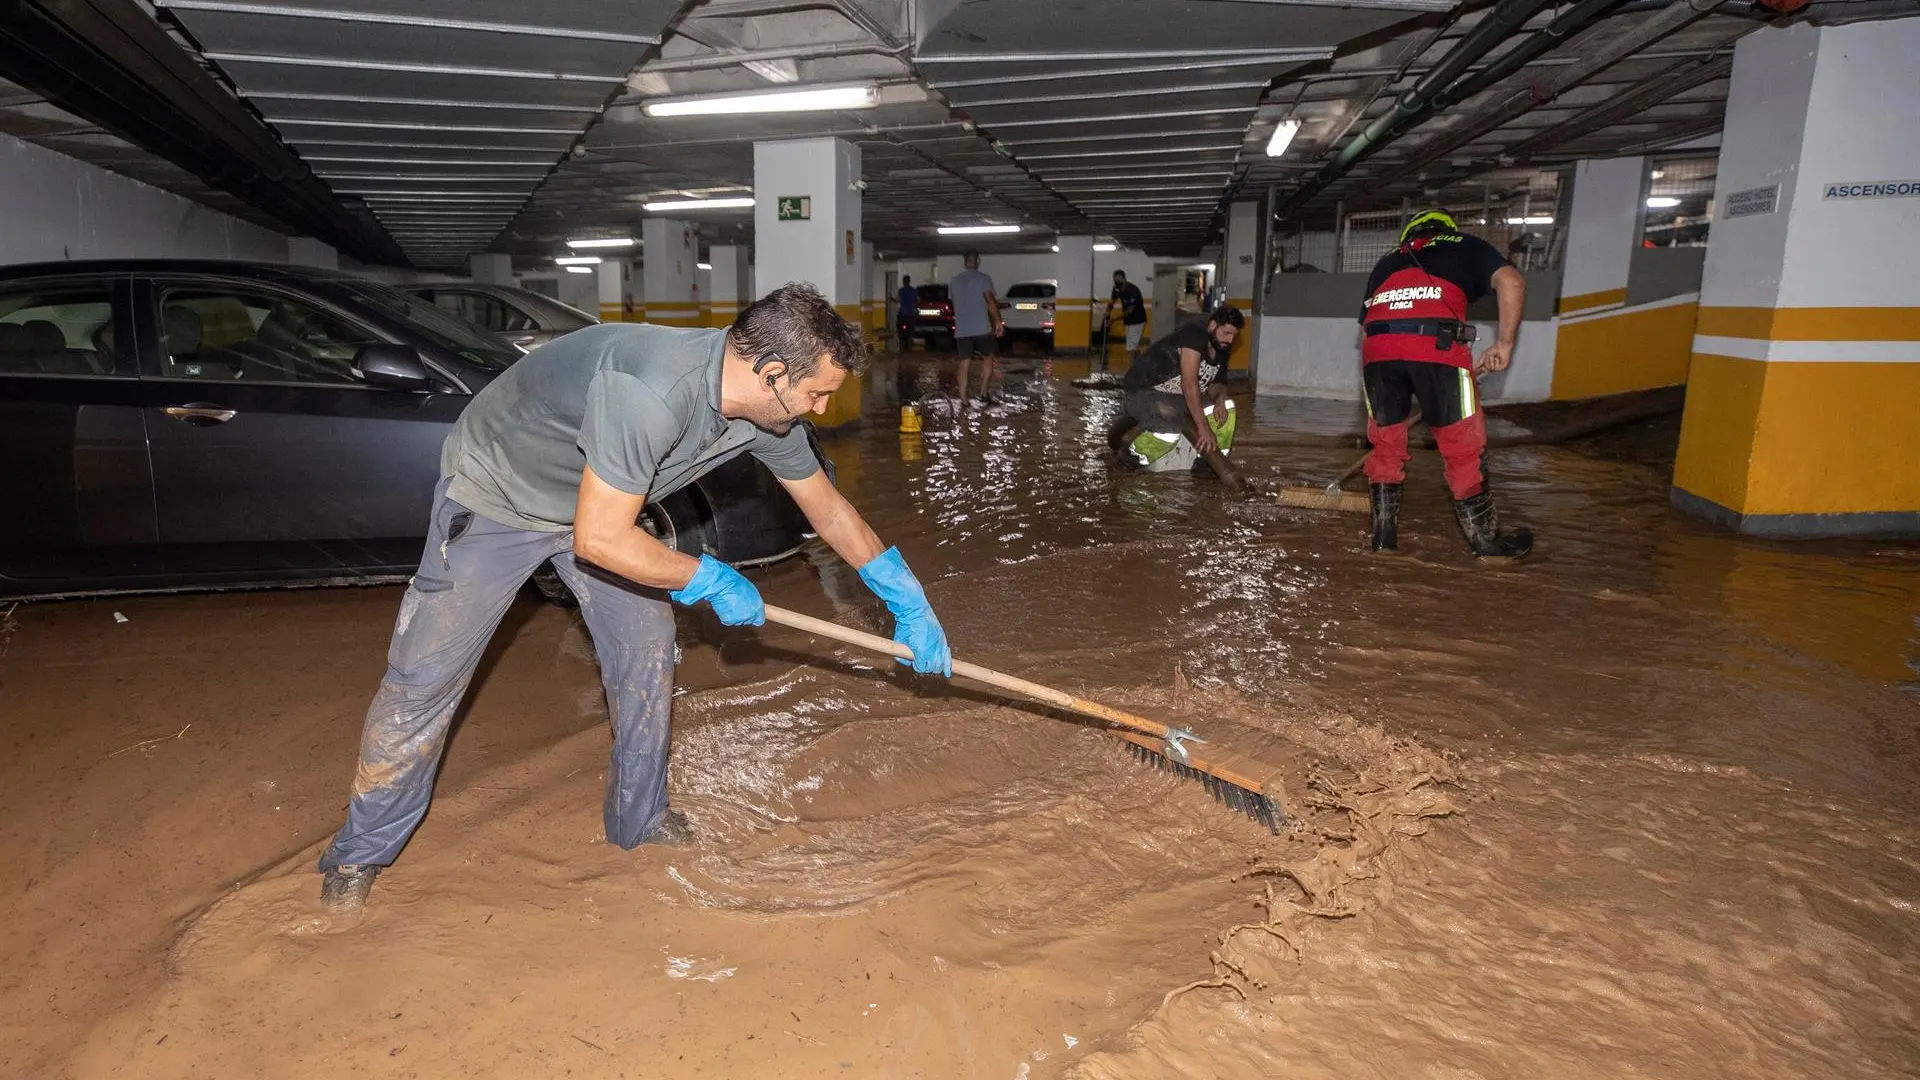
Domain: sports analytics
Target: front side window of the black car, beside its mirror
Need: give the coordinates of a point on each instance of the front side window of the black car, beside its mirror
(243, 335)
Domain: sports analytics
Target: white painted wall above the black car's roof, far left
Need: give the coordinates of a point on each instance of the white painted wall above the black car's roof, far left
(59, 209)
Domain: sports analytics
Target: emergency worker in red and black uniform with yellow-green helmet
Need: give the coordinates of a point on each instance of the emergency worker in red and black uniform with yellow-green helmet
(1418, 349)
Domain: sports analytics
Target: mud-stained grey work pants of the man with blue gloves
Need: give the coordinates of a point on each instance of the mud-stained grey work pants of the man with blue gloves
(469, 576)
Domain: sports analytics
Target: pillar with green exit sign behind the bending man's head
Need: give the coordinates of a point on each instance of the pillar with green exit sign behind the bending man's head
(807, 228)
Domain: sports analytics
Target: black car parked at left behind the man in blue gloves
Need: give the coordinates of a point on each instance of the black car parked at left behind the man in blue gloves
(176, 426)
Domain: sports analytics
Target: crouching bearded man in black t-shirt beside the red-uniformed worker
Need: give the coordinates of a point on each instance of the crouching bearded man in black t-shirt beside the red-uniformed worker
(1164, 387)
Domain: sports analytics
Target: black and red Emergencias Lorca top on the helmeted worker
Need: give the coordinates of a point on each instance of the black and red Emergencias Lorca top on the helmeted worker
(1431, 280)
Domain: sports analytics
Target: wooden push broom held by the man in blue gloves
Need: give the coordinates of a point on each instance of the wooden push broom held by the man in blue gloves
(1241, 783)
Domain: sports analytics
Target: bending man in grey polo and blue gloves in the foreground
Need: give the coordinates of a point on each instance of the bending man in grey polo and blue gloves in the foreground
(556, 460)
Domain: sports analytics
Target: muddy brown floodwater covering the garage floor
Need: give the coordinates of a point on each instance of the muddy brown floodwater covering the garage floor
(1643, 806)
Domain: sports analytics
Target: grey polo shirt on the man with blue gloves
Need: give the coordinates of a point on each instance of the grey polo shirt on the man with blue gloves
(640, 405)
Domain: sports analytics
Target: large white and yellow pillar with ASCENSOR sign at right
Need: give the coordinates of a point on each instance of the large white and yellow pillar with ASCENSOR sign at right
(1808, 349)
